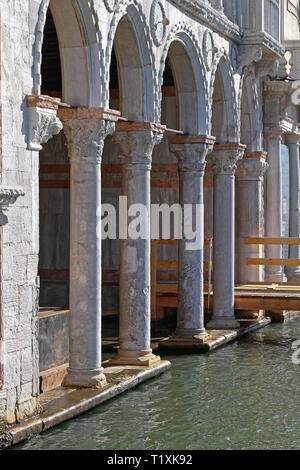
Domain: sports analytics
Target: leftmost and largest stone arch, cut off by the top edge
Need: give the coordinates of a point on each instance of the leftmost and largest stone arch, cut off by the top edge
(78, 32)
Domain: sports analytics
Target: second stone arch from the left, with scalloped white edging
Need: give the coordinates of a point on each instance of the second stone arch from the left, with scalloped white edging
(136, 63)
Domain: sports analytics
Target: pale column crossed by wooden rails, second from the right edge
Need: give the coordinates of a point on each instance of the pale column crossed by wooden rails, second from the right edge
(273, 202)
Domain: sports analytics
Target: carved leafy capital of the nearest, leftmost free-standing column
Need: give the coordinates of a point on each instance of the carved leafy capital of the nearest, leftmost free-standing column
(85, 137)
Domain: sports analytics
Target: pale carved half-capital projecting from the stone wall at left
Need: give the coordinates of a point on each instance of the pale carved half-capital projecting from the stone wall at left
(43, 124)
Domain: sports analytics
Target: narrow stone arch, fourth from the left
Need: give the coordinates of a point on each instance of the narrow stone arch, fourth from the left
(222, 89)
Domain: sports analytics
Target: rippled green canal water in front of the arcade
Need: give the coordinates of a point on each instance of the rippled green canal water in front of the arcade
(243, 396)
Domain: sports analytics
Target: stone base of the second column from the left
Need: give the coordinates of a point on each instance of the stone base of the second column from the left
(133, 358)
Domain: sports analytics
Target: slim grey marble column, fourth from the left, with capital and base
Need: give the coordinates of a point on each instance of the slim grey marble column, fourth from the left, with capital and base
(224, 159)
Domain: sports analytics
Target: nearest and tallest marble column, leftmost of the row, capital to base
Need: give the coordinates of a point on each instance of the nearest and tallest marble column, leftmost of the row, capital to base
(85, 136)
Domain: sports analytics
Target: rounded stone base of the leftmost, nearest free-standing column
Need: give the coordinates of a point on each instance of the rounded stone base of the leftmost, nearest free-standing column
(84, 379)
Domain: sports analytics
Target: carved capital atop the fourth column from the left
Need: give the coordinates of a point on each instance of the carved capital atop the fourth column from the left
(224, 158)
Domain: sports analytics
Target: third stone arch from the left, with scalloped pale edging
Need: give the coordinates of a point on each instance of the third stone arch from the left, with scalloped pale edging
(189, 74)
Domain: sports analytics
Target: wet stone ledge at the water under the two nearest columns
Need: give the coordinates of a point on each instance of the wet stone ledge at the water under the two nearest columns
(63, 404)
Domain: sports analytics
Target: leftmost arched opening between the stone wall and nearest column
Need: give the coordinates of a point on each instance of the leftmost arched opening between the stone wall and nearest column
(68, 71)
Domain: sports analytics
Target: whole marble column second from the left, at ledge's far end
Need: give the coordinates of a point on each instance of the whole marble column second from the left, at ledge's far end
(136, 142)
